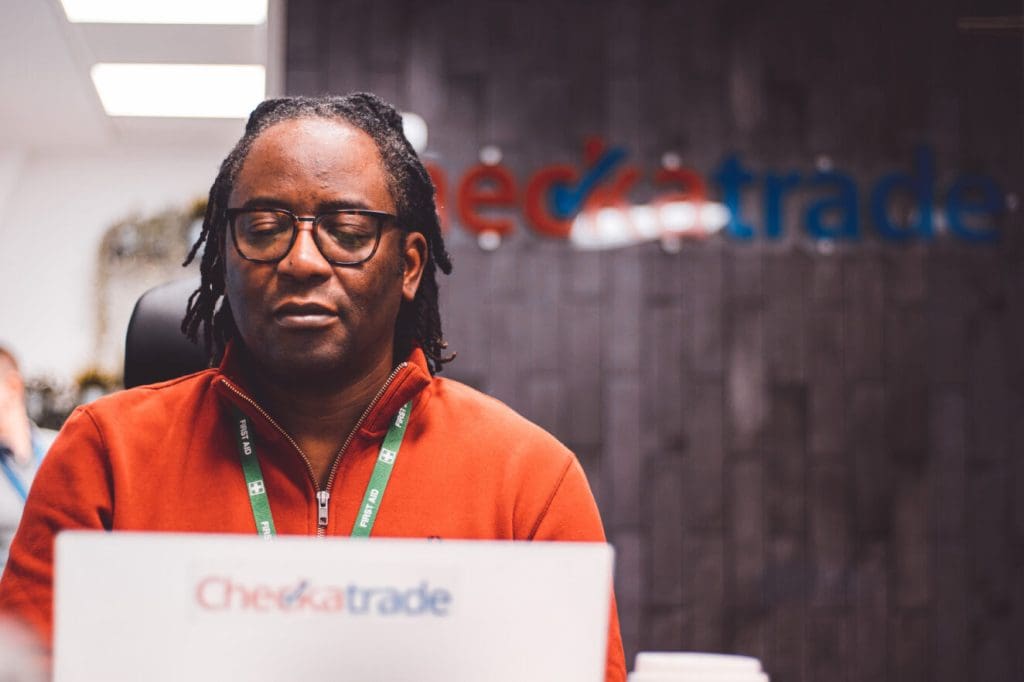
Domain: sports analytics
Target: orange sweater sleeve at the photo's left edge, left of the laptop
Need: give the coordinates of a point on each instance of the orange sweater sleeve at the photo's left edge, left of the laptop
(72, 491)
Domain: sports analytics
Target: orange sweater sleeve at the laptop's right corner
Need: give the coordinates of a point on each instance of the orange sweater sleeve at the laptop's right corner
(572, 516)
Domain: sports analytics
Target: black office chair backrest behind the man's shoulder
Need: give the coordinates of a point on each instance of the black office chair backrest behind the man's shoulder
(155, 348)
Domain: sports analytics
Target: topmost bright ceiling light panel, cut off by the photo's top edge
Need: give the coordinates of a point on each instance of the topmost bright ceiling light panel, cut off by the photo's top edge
(166, 12)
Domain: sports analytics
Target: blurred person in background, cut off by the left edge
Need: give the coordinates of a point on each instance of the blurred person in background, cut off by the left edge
(22, 448)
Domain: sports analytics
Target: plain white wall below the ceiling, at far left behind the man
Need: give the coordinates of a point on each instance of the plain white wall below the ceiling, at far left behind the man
(58, 208)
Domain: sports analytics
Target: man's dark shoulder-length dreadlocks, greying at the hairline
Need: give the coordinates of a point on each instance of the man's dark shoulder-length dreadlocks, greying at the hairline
(419, 322)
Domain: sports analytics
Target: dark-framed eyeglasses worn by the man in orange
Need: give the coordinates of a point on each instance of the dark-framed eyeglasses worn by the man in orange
(349, 237)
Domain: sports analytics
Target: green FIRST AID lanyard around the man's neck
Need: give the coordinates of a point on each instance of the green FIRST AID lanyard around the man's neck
(375, 489)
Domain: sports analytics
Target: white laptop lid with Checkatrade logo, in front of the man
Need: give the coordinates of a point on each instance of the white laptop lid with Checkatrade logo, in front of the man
(164, 607)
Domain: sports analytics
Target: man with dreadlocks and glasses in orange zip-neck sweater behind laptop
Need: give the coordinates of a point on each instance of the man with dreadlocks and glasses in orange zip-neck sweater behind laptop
(319, 299)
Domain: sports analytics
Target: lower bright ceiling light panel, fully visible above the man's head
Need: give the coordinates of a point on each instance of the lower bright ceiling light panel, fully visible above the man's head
(181, 91)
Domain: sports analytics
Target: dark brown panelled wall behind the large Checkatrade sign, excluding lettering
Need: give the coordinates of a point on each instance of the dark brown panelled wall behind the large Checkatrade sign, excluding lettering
(809, 455)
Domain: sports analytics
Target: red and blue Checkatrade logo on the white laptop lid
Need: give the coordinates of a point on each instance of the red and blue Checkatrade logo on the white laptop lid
(225, 594)
